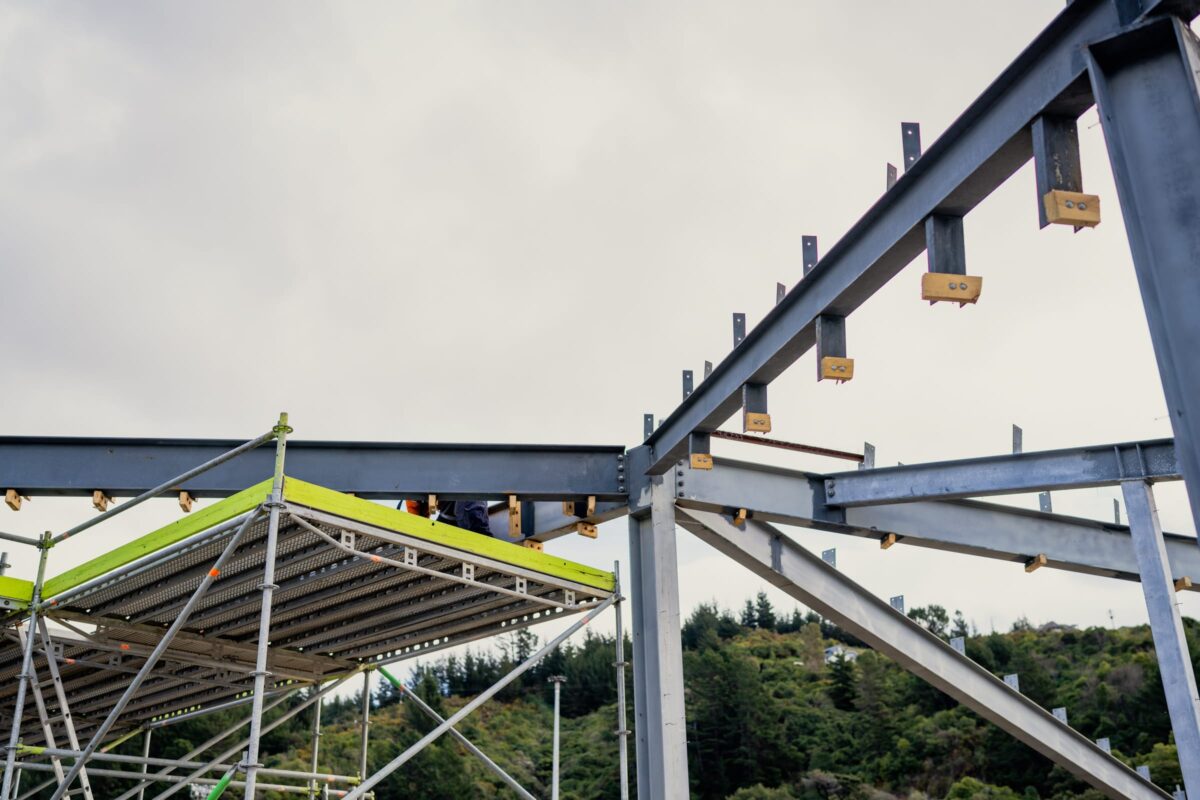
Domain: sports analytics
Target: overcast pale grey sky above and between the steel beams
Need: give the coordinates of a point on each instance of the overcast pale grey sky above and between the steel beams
(519, 222)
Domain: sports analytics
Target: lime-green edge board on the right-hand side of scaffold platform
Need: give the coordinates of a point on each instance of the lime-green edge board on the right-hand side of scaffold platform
(373, 514)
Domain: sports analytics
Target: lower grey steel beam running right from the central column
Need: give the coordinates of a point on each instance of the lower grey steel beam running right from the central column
(971, 528)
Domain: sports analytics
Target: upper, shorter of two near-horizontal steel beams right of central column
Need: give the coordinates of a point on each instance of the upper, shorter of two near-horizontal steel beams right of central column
(1010, 474)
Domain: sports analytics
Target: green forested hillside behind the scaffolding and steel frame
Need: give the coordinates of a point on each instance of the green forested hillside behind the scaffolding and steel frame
(767, 717)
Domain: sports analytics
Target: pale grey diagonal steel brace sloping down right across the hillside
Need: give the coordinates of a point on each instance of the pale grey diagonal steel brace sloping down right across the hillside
(776, 558)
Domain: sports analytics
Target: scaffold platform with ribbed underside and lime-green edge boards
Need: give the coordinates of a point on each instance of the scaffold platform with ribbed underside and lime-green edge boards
(358, 584)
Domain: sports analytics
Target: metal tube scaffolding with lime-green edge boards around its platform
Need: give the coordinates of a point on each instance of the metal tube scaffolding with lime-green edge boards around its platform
(281, 588)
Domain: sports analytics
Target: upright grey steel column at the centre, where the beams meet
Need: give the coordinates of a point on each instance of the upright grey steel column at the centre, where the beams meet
(658, 651)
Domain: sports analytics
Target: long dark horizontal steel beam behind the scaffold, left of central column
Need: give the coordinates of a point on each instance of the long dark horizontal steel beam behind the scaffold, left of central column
(57, 466)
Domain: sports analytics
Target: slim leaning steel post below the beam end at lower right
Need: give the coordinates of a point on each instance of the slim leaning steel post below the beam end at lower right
(1167, 625)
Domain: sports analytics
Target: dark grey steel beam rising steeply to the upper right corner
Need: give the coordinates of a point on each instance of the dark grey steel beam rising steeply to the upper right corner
(985, 147)
